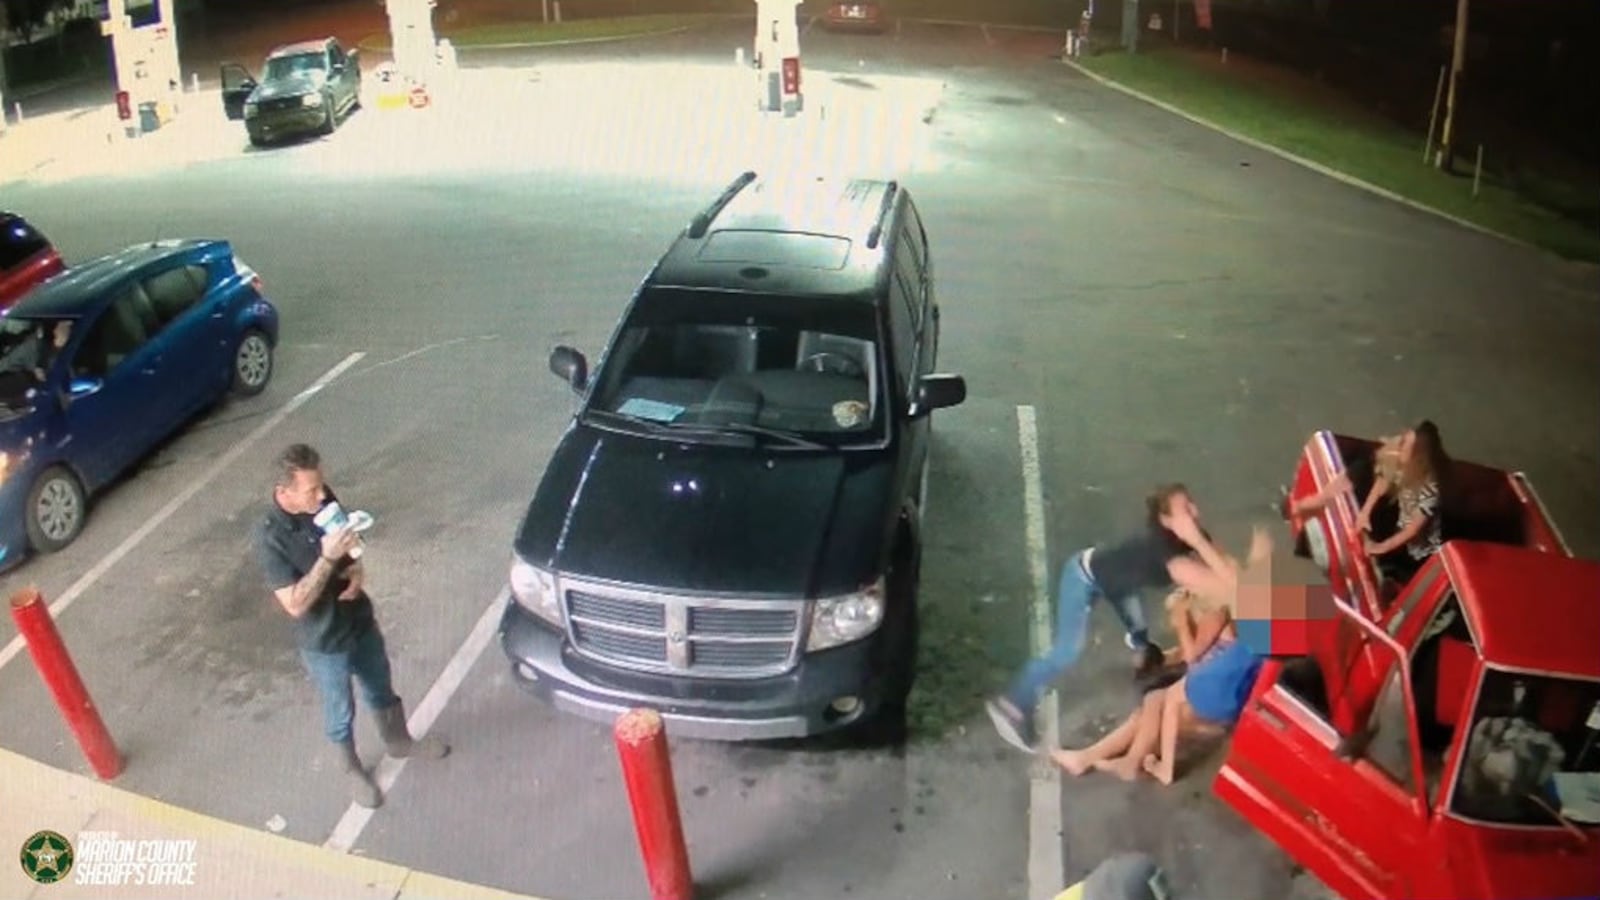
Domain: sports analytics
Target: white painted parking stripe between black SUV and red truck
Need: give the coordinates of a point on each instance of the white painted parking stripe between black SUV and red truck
(1046, 867)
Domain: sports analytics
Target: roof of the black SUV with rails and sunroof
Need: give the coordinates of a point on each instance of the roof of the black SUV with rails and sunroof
(794, 236)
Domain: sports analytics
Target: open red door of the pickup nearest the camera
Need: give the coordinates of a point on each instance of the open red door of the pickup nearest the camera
(1326, 761)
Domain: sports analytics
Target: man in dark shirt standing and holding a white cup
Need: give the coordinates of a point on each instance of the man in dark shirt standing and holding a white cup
(319, 584)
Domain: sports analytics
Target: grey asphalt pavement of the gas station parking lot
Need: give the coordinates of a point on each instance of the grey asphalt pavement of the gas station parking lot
(1169, 303)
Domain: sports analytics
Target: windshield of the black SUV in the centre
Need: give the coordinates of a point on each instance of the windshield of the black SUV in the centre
(700, 361)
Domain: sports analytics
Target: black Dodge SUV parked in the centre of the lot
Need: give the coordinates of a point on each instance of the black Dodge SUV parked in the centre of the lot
(729, 531)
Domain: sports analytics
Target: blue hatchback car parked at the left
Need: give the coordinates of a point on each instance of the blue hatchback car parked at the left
(106, 361)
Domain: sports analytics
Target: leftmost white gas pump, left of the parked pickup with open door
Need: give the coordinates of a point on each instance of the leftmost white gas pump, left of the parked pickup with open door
(150, 79)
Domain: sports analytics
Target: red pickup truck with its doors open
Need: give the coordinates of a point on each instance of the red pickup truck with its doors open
(1442, 739)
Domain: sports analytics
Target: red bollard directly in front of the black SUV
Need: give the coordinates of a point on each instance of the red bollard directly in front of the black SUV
(647, 769)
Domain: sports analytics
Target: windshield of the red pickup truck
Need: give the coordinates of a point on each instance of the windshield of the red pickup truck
(1534, 749)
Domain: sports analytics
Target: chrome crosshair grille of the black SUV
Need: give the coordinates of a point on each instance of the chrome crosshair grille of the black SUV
(684, 635)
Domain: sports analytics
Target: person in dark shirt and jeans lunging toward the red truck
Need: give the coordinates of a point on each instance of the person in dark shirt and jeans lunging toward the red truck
(1170, 550)
